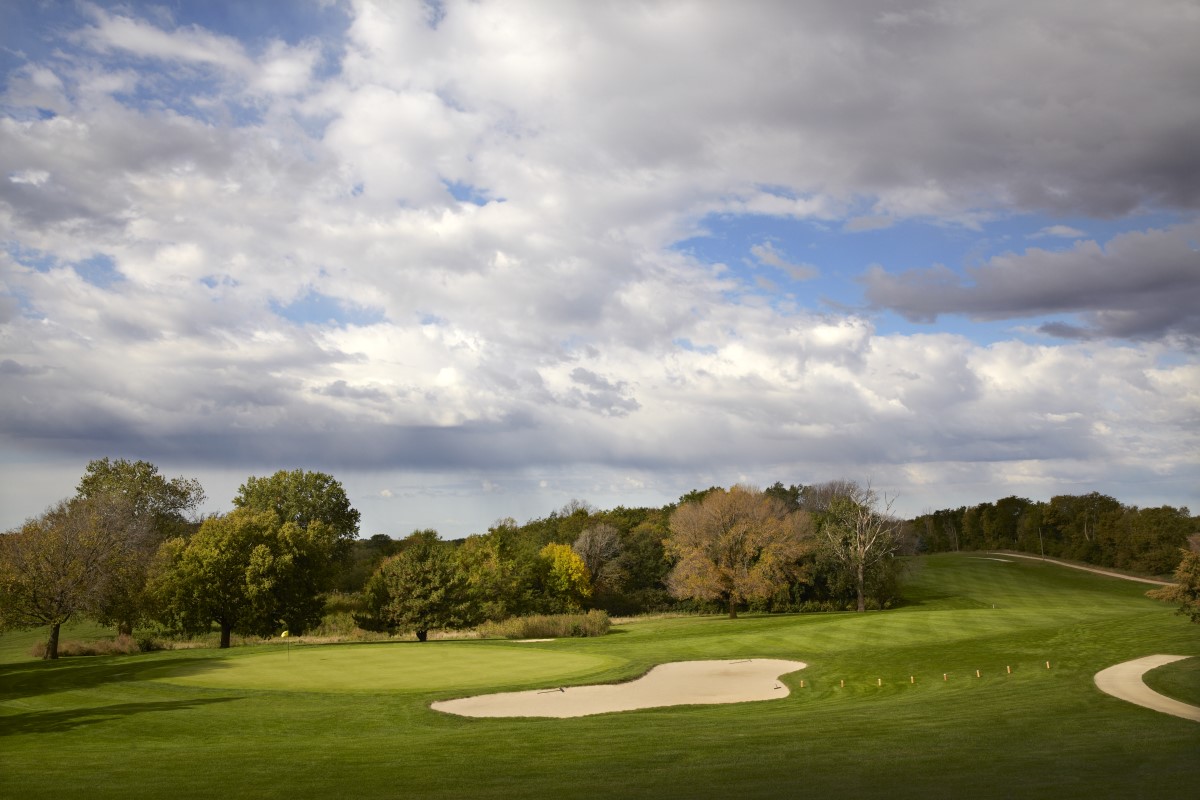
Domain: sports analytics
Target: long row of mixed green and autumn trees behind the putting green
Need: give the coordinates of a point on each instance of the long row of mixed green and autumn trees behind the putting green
(130, 550)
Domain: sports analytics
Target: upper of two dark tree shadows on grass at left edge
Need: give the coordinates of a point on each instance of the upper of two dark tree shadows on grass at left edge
(82, 673)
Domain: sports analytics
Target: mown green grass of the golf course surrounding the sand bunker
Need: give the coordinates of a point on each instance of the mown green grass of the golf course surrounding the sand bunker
(335, 721)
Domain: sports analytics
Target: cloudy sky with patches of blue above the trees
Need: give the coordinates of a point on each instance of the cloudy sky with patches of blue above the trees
(479, 260)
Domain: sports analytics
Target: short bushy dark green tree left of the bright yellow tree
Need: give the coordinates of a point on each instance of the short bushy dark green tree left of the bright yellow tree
(422, 588)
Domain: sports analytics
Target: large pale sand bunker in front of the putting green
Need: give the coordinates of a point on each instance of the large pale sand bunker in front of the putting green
(683, 683)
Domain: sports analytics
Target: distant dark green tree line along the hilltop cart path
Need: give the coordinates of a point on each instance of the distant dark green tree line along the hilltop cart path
(1093, 528)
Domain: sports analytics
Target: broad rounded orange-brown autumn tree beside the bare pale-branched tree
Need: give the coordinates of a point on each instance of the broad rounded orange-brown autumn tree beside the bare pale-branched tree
(735, 546)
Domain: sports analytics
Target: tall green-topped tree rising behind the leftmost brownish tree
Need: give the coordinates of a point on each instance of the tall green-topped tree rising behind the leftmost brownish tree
(154, 510)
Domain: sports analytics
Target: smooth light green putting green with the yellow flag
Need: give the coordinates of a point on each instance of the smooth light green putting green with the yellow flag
(398, 667)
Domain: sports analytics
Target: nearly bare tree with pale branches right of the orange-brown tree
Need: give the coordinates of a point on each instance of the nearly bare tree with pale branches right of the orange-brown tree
(857, 537)
